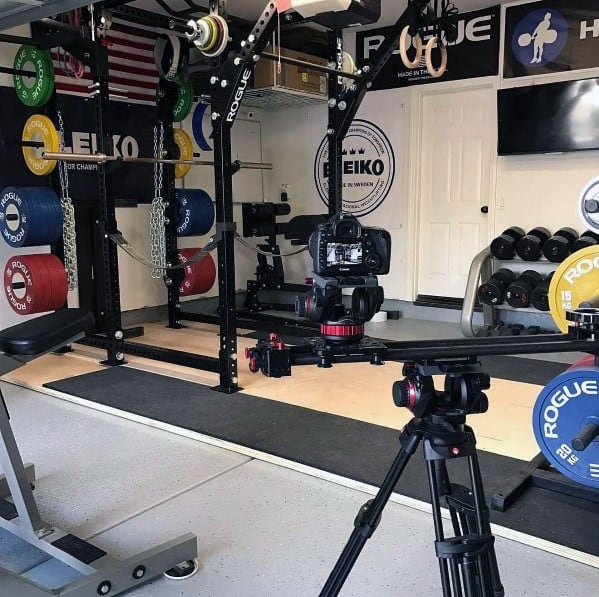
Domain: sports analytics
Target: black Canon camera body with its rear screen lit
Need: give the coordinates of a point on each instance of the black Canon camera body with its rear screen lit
(343, 247)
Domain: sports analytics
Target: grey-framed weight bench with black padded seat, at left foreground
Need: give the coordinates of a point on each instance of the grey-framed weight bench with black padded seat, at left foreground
(100, 573)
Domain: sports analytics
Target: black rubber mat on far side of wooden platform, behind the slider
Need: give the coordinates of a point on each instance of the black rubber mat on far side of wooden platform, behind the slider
(524, 370)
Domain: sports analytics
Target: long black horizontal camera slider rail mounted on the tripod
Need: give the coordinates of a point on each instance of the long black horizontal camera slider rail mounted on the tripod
(275, 359)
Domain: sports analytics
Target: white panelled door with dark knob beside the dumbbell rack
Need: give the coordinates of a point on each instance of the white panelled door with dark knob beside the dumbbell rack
(455, 184)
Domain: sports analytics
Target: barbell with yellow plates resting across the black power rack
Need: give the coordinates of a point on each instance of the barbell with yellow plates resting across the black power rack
(41, 149)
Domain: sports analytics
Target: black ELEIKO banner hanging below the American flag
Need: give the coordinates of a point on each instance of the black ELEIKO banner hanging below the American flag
(129, 126)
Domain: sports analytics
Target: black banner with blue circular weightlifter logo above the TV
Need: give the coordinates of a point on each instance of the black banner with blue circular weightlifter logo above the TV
(551, 36)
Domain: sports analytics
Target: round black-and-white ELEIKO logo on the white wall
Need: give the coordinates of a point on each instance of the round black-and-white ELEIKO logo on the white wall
(368, 168)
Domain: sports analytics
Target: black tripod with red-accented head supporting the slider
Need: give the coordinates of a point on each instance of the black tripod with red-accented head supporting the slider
(467, 561)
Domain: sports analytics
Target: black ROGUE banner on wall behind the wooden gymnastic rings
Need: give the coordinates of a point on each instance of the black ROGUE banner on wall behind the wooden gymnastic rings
(474, 54)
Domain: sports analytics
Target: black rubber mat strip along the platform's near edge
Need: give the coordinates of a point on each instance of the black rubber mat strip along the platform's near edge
(343, 446)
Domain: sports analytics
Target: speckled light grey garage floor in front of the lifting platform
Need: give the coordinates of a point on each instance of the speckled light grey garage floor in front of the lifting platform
(263, 530)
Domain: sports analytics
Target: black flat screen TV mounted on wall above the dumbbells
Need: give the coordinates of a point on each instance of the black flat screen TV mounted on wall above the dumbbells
(552, 118)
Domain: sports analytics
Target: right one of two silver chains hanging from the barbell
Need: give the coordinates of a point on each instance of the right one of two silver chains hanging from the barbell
(157, 210)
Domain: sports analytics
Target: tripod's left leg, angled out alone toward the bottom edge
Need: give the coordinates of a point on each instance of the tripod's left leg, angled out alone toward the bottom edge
(369, 517)
